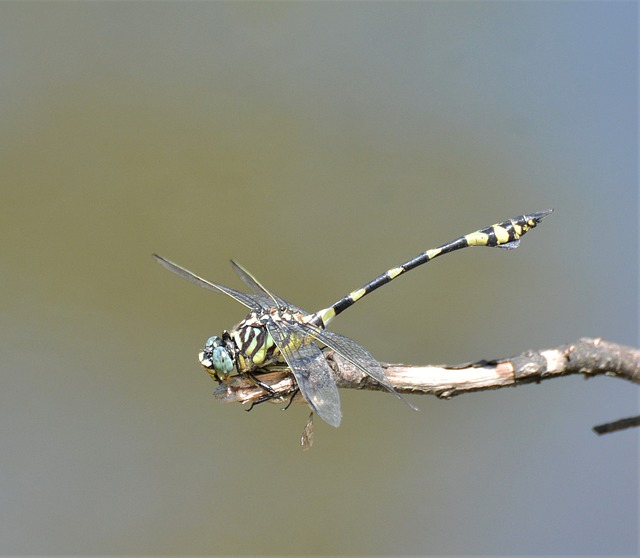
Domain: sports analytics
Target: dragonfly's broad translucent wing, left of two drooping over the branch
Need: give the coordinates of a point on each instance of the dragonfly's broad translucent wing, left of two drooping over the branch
(312, 373)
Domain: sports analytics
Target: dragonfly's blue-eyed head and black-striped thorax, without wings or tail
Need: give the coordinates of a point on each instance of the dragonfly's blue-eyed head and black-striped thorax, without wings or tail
(248, 346)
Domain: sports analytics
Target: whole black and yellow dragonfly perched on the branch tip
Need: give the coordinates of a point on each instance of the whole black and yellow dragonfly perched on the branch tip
(276, 332)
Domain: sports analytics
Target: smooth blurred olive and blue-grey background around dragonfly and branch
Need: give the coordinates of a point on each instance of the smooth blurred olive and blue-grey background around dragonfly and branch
(318, 144)
